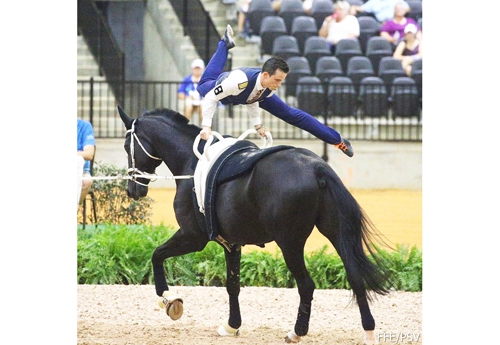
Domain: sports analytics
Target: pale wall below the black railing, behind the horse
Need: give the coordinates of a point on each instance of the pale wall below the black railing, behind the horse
(375, 165)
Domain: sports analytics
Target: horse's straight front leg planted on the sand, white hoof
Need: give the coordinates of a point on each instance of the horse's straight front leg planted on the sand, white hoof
(233, 262)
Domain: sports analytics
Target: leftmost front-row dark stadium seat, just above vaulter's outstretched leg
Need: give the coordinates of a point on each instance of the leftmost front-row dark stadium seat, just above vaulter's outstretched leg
(311, 95)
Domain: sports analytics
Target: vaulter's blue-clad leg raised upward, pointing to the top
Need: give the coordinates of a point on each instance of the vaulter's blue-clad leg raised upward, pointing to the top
(216, 64)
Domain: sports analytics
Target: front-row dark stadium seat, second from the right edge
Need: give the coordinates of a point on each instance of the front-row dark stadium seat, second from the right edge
(373, 98)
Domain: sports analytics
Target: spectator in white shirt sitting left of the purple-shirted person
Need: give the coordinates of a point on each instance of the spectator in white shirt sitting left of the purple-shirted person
(339, 25)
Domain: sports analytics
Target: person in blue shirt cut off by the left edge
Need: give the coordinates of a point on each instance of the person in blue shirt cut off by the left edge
(85, 150)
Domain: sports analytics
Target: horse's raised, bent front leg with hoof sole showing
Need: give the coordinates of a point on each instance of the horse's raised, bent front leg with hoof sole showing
(182, 242)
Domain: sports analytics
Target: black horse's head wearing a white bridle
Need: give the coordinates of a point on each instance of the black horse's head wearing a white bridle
(141, 156)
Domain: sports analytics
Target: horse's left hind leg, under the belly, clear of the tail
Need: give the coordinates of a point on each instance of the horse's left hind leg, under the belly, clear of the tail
(293, 253)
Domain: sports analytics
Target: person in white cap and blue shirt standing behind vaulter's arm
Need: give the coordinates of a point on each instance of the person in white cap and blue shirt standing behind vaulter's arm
(187, 90)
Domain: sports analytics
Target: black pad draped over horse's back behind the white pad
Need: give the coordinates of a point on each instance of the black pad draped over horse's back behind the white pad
(237, 160)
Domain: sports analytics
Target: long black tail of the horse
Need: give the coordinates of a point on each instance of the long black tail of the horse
(356, 239)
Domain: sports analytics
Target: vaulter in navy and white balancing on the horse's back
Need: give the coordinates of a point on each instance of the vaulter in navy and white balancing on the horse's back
(256, 88)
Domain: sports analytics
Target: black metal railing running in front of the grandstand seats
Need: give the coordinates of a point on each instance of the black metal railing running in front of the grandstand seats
(97, 104)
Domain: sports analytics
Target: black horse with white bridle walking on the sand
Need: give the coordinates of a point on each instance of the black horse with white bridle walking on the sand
(281, 199)
